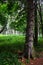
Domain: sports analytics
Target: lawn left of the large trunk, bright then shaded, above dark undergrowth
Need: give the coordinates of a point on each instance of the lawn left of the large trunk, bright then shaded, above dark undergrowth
(12, 43)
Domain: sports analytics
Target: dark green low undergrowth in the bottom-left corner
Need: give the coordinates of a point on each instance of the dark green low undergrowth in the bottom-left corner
(8, 58)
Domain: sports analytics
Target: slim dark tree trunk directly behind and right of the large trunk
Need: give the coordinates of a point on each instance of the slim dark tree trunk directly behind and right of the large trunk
(36, 25)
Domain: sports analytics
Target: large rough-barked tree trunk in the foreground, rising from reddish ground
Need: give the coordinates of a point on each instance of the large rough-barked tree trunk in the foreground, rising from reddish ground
(29, 49)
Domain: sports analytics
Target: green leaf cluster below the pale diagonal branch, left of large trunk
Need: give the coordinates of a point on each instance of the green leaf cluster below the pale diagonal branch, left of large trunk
(19, 25)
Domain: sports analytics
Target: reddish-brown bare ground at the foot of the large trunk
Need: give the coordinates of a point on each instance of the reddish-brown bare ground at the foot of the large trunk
(36, 61)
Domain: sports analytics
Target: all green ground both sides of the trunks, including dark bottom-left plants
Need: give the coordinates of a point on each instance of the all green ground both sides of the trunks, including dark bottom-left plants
(9, 45)
